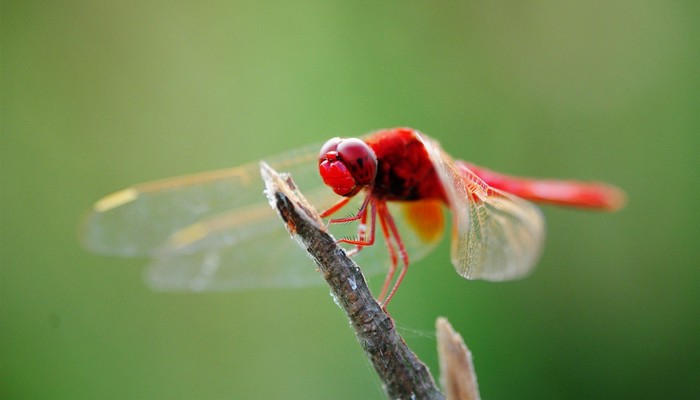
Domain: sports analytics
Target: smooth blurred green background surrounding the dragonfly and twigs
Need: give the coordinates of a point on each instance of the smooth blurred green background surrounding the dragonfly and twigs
(99, 95)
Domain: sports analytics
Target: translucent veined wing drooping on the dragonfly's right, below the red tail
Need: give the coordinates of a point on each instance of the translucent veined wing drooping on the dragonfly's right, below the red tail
(496, 236)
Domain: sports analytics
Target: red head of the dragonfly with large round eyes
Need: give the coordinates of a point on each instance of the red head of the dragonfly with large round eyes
(347, 165)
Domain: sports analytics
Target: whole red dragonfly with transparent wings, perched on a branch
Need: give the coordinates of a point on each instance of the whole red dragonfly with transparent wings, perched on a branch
(213, 231)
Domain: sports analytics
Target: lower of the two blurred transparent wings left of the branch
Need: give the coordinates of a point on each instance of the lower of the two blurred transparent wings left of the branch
(242, 249)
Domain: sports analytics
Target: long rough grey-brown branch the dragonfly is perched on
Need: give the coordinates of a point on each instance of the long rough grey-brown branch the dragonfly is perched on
(403, 375)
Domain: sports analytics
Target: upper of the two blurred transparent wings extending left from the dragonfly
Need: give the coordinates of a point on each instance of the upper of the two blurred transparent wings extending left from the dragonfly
(137, 220)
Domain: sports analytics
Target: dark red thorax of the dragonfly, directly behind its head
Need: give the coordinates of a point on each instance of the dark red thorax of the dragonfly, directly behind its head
(404, 168)
